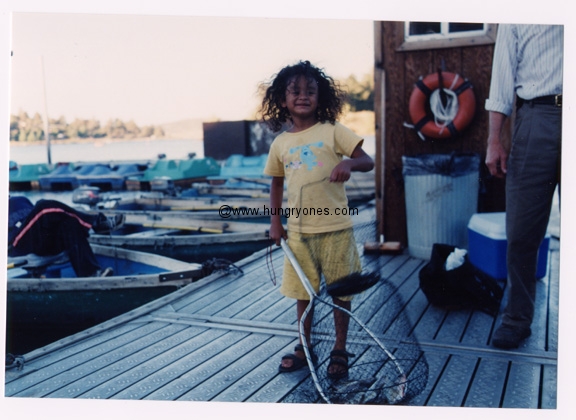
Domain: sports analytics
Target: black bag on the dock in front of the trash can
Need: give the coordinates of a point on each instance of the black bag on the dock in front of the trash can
(464, 287)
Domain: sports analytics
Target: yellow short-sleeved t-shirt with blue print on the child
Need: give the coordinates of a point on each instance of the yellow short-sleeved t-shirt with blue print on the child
(306, 159)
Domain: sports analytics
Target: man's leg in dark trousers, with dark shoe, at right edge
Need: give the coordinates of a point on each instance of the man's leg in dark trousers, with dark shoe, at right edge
(530, 183)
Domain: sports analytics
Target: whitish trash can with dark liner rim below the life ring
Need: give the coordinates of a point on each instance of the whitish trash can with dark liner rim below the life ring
(441, 194)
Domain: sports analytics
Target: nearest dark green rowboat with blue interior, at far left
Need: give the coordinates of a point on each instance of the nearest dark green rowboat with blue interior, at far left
(46, 301)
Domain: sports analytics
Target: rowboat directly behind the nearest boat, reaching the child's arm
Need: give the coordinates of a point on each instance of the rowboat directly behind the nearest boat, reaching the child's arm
(186, 236)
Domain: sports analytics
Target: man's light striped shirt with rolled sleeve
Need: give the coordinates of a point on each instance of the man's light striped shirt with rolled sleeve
(527, 62)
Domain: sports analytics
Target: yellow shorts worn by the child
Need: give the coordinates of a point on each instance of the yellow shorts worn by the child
(333, 254)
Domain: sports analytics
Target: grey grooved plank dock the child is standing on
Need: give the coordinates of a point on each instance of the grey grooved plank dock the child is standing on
(220, 339)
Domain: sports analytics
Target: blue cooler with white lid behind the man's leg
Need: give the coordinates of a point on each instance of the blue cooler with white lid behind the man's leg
(487, 246)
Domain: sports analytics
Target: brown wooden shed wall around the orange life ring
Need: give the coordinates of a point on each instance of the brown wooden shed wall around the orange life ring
(395, 74)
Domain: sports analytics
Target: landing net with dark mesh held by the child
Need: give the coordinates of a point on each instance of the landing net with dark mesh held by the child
(385, 362)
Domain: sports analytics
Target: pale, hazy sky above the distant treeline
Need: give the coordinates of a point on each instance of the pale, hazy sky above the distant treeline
(160, 69)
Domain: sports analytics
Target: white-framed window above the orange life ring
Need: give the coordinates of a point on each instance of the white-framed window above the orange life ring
(430, 35)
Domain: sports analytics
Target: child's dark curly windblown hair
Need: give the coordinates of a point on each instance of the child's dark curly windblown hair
(330, 96)
